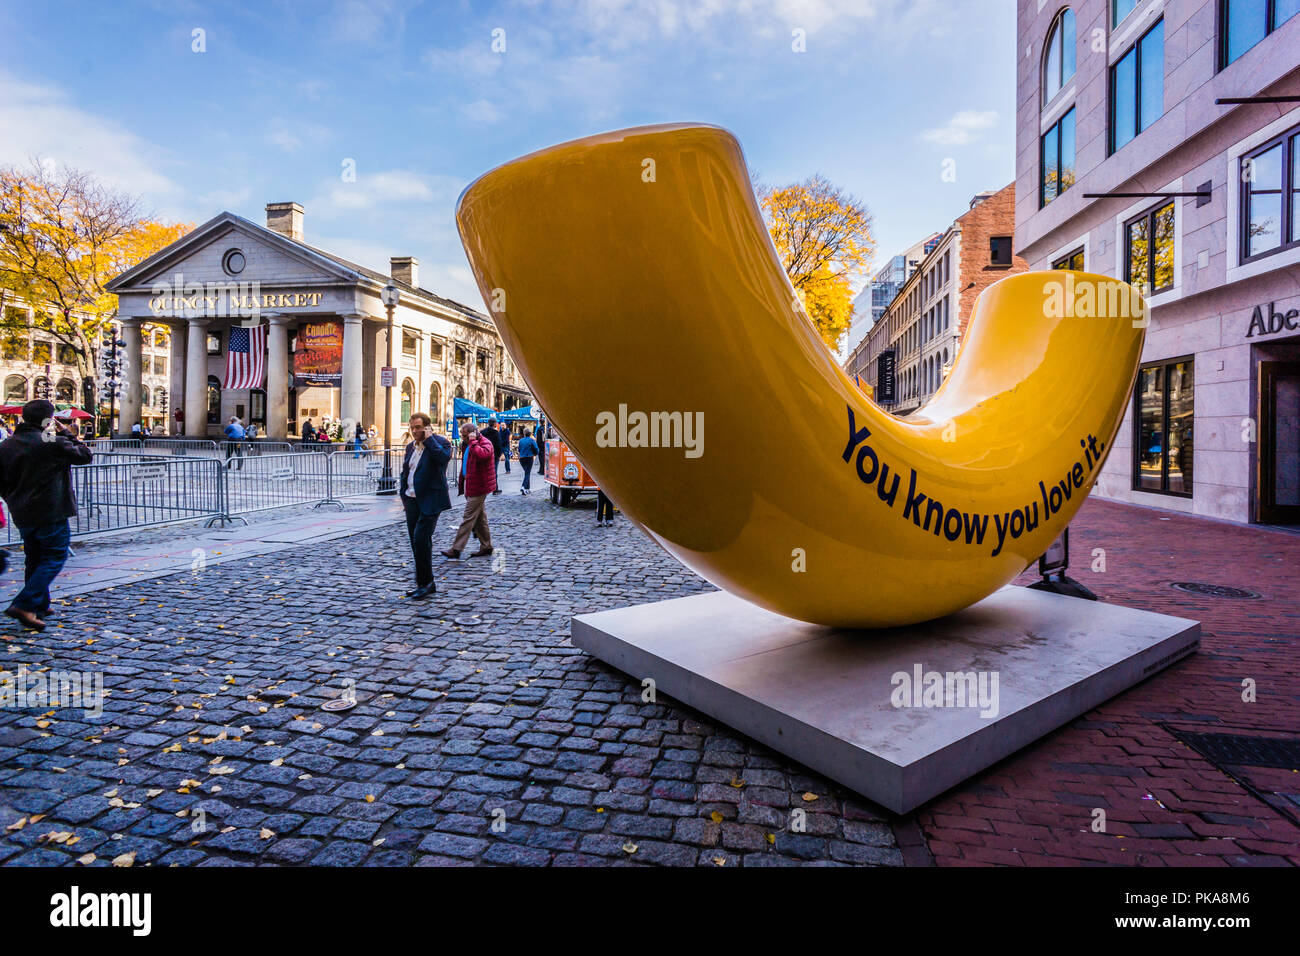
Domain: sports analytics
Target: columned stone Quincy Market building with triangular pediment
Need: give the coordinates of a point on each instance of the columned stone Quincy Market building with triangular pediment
(326, 334)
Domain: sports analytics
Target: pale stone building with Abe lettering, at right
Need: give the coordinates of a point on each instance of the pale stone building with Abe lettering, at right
(1123, 97)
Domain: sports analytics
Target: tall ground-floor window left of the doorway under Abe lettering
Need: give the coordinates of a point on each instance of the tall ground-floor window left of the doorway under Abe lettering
(1163, 429)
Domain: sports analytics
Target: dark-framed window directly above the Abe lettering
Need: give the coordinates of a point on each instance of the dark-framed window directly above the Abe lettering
(1271, 197)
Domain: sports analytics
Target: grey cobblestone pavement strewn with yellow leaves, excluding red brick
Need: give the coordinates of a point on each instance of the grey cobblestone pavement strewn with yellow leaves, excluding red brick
(480, 733)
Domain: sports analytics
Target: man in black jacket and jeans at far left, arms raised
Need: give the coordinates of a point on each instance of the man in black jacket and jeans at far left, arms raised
(37, 483)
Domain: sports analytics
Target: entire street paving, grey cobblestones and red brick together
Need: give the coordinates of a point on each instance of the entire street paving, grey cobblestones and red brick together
(483, 737)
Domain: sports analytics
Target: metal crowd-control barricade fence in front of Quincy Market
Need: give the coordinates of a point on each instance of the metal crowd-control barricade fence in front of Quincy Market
(131, 487)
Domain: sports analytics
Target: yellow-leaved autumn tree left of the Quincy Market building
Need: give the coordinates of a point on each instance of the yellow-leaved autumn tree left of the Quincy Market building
(63, 237)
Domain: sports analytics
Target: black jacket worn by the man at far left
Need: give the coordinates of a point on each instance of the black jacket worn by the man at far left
(36, 477)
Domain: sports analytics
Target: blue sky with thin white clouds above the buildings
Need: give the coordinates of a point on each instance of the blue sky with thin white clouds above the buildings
(287, 93)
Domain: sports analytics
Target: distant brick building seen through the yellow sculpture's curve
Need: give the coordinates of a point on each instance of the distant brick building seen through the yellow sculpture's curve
(924, 327)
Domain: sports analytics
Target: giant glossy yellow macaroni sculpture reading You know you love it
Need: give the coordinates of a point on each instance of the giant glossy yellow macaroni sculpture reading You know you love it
(627, 287)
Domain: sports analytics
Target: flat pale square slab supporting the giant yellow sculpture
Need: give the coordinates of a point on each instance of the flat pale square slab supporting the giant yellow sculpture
(899, 715)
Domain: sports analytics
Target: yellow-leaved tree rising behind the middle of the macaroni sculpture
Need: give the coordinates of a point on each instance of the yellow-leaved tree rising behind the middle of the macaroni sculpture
(824, 239)
